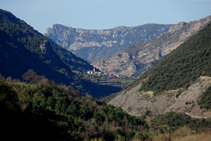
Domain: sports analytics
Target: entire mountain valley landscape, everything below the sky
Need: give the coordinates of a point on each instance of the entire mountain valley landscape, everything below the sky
(157, 87)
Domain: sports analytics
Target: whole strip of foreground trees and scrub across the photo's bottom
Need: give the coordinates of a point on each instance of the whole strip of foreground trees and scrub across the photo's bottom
(46, 111)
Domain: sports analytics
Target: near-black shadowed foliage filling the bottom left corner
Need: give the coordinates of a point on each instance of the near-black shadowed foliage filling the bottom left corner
(34, 123)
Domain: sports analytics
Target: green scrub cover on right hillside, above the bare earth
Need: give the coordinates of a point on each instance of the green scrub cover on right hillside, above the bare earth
(182, 66)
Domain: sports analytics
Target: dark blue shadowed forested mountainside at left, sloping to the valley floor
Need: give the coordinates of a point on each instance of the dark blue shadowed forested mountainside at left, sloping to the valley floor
(21, 49)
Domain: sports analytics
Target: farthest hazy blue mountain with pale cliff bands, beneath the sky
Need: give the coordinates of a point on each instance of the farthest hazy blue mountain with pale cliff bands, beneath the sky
(99, 44)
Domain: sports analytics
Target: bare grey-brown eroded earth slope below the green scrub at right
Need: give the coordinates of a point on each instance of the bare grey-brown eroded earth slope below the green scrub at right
(180, 100)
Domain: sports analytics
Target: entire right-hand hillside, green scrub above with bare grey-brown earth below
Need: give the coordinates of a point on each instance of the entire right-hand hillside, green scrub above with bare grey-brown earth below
(179, 82)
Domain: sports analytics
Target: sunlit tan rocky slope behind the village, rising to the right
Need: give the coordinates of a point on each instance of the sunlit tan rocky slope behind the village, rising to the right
(139, 57)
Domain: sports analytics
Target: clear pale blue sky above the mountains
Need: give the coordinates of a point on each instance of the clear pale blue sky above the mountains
(105, 14)
